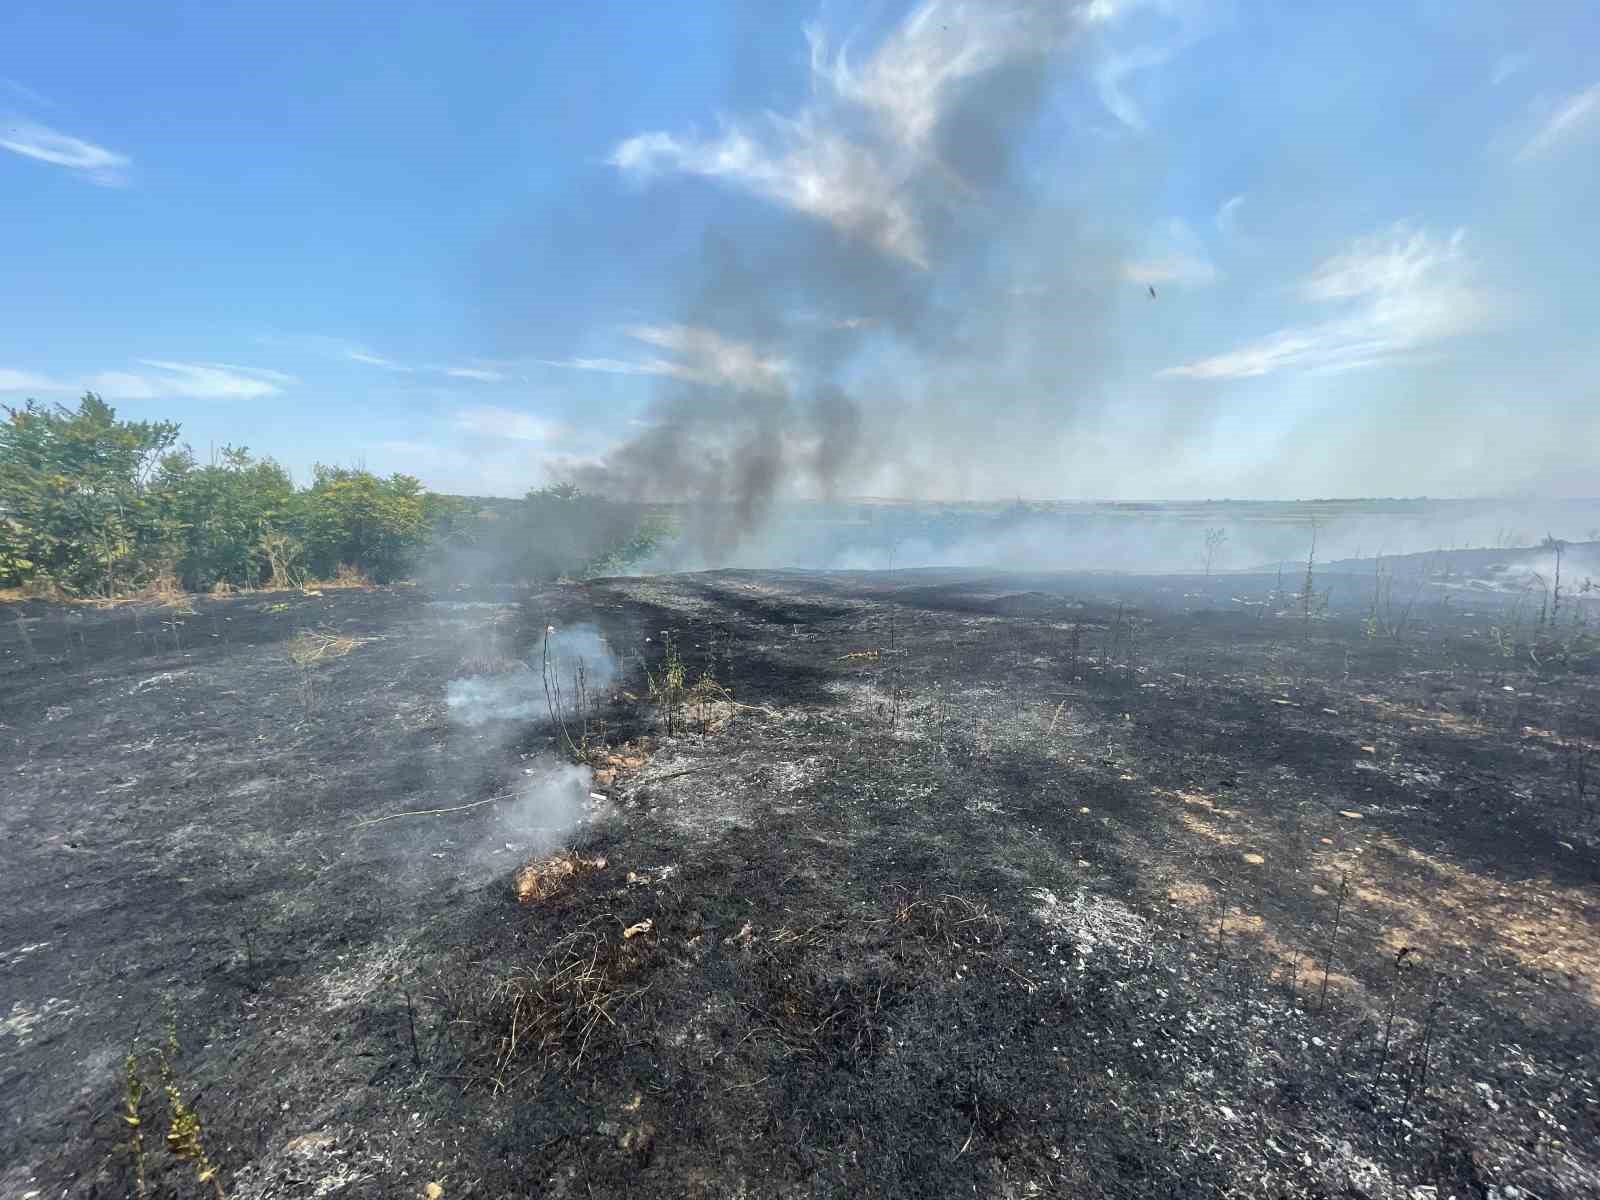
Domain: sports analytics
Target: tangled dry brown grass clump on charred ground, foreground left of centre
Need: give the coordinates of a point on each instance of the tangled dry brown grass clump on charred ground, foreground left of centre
(559, 1010)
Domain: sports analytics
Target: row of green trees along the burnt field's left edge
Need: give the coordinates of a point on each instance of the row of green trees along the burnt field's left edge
(92, 505)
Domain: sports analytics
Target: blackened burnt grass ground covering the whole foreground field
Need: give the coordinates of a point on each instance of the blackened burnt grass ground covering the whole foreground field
(978, 886)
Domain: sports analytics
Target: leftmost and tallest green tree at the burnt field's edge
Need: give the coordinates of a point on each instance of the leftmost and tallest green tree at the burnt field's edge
(76, 505)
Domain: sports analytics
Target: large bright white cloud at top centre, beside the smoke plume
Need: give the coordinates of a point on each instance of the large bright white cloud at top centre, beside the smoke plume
(863, 183)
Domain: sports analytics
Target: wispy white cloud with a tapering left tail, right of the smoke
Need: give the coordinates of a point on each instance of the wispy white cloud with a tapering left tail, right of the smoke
(1406, 294)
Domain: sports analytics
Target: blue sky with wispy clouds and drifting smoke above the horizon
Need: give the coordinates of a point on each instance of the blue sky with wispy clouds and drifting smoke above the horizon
(478, 246)
